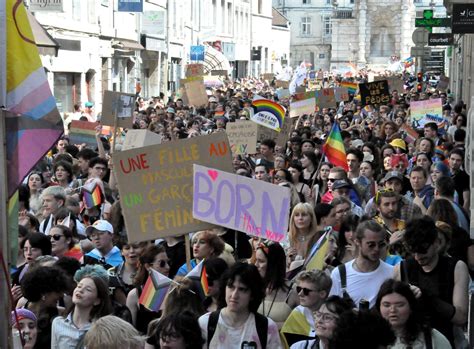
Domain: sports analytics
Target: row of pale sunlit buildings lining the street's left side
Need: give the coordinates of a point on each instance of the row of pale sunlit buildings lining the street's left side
(100, 48)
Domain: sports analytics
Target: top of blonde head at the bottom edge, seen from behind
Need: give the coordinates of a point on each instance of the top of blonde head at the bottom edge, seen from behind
(111, 332)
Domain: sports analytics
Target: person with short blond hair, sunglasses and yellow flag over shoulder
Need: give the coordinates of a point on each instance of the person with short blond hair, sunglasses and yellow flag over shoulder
(312, 288)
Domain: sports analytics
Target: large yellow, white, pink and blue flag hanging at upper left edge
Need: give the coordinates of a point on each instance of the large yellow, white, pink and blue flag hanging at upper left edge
(33, 123)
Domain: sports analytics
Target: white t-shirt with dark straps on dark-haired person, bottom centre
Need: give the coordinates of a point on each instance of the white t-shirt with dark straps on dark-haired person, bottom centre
(226, 336)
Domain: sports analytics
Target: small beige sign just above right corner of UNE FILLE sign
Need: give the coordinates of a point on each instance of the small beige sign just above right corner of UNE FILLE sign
(242, 136)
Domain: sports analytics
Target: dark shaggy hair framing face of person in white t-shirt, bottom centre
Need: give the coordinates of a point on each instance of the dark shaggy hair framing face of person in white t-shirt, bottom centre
(248, 275)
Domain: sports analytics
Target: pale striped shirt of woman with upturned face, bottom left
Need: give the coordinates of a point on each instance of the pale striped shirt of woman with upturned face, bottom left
(66, 335)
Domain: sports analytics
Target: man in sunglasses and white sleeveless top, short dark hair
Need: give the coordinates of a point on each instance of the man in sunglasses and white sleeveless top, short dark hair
(361, 278)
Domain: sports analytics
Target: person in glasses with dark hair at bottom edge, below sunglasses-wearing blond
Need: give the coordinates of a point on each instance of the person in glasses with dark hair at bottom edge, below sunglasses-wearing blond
(326, 323)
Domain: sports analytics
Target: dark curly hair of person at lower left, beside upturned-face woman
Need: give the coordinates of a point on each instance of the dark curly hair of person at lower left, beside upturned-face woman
(41, 280)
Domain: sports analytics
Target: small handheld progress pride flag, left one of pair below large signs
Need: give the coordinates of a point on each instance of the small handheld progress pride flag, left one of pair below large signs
(155, 290)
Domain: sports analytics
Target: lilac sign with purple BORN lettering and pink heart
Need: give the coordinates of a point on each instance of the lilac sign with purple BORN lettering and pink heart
(254, 207)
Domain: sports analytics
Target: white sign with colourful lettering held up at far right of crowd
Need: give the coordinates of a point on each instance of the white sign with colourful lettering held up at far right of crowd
(430, 110)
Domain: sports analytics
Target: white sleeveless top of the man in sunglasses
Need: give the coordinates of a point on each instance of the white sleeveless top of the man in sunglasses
(361, 285)
